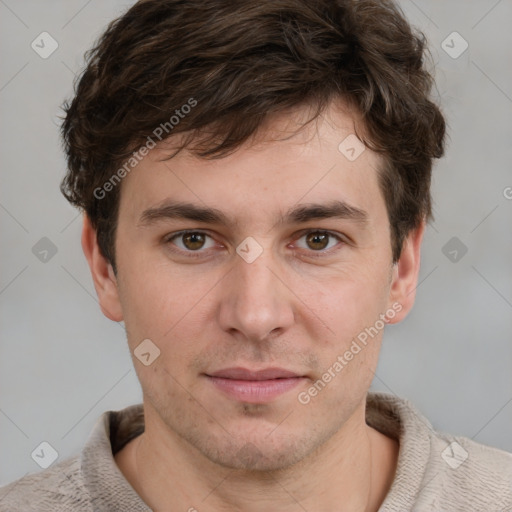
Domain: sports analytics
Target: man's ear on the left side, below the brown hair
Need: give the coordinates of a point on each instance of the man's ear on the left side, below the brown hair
(103, 275)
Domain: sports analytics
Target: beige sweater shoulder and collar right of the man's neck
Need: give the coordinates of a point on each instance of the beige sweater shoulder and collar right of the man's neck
(439, 472)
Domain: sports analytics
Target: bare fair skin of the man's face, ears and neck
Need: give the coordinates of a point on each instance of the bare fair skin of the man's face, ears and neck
(203, 450)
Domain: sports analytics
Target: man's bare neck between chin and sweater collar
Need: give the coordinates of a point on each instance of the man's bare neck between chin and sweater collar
(351, 471)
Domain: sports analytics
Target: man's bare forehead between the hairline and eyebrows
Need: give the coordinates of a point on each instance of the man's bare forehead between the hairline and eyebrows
(280, 167)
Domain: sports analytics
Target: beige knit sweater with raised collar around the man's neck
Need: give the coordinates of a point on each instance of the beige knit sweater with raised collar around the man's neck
(436, 472)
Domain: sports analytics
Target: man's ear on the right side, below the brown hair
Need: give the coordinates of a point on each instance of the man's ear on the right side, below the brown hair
(405, 275)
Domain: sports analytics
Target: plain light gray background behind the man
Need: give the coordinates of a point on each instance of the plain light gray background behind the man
(63, 363)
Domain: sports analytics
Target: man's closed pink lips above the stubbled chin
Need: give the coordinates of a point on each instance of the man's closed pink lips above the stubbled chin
(254, 386)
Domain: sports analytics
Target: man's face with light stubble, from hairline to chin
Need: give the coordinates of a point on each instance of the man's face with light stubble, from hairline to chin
(286, 267)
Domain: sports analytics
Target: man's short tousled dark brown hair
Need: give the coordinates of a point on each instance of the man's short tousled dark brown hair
(241, 61)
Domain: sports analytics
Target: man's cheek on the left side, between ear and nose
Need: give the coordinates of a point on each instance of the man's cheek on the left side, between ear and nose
(170, 308)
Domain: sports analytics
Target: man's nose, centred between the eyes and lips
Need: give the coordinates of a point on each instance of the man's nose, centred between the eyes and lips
(256, 303)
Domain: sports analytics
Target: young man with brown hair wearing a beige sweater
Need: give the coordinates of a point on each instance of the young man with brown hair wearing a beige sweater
(255, 178)
